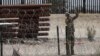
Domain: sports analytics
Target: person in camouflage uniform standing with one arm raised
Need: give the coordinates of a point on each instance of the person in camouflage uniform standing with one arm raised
(70, 32)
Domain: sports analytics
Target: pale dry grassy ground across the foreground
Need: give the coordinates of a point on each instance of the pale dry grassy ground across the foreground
(82, 47)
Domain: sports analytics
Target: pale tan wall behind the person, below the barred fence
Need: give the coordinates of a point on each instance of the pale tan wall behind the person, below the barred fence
(81, 24)
